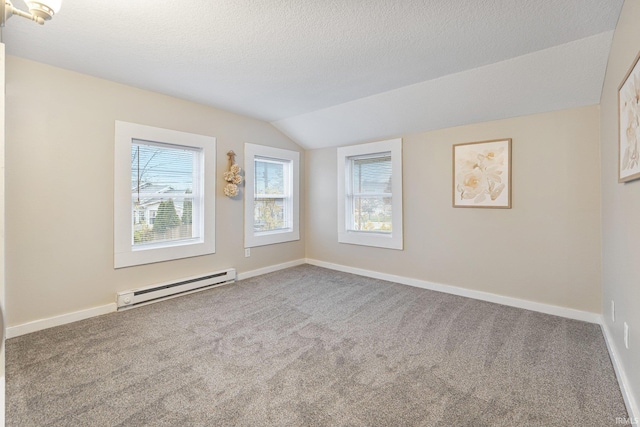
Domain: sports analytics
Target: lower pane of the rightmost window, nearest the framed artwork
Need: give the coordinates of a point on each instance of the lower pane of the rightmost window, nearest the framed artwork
(372, 213)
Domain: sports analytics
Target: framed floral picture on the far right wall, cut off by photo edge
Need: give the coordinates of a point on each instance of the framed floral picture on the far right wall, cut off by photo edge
(629, 124)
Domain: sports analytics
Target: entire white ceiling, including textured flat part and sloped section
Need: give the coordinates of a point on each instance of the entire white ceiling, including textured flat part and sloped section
(330, 72)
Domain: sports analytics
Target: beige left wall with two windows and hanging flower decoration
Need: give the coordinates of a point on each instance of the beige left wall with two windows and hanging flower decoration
(59, 189)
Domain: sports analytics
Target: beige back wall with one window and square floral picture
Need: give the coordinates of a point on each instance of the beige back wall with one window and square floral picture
(545, 249)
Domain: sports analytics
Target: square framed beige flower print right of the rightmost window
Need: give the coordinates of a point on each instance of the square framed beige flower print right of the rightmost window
(482, 174)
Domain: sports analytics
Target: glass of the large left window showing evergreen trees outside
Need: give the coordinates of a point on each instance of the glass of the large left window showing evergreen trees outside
(162, 183)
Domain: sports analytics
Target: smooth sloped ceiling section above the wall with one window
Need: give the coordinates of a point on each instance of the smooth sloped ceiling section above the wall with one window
(553, 79)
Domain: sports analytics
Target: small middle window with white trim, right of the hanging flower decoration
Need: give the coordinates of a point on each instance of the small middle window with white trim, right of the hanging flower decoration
(272, 191)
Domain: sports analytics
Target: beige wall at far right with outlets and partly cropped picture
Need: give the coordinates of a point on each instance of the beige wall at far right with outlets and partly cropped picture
(621, 208)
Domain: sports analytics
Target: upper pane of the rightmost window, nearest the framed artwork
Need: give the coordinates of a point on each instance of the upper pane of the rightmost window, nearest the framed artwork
(371, 174)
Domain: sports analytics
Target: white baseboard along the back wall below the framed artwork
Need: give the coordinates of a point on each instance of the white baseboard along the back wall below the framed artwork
(569, 313)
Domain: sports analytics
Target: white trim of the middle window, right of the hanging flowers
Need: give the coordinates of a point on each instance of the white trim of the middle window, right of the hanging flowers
(252, 239)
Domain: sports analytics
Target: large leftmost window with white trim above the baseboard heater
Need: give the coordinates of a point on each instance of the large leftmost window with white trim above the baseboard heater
(161, 181)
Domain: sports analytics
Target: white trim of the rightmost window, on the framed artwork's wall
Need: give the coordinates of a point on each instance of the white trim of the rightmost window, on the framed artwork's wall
(393, 240)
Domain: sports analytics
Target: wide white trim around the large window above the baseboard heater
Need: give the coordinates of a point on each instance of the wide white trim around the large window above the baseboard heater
(125, 255)
